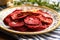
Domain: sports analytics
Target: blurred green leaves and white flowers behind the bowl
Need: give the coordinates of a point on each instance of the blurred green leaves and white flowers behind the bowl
(54, 4)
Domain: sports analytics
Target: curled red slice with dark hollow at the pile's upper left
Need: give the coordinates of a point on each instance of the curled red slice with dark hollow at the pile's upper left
(17, 14)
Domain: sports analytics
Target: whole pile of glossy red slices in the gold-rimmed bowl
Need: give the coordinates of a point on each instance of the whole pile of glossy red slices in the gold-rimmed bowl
(28, 21)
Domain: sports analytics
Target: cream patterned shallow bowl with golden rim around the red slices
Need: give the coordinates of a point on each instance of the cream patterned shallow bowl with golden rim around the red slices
(7, 11)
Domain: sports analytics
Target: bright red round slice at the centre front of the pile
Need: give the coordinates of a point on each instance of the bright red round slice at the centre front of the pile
(32, 20)
